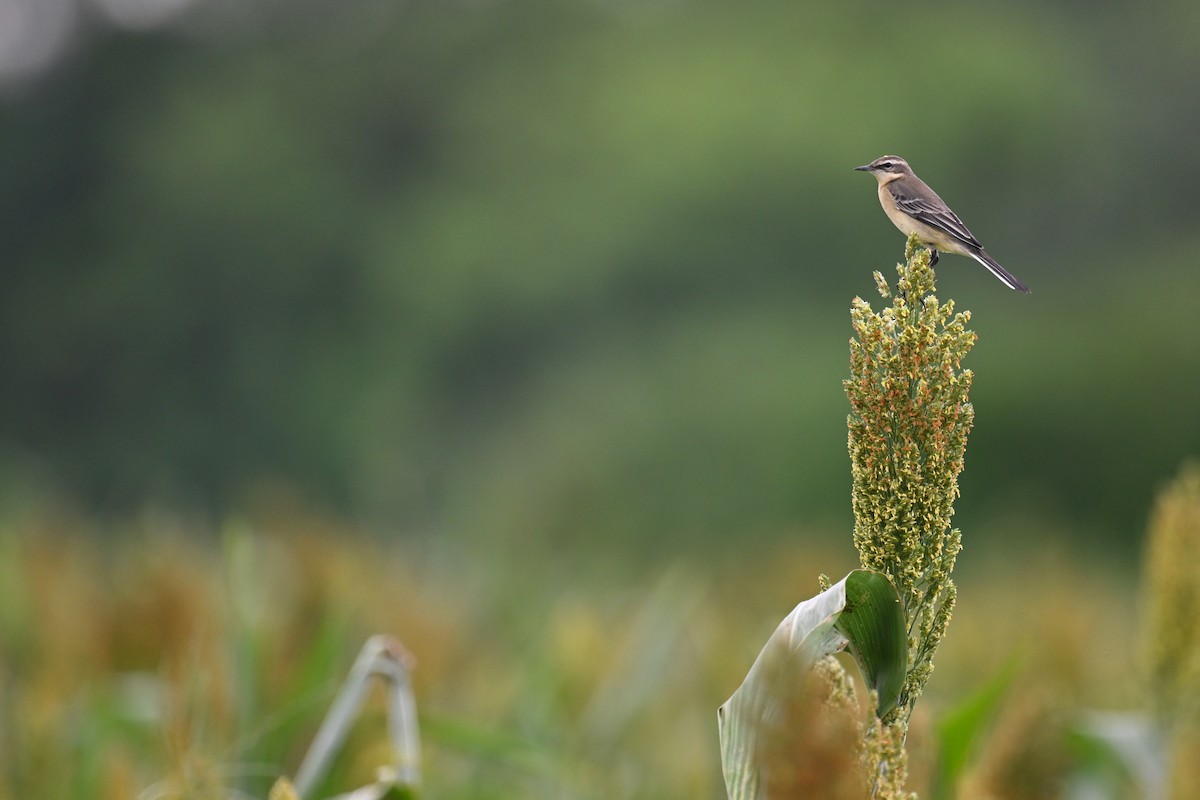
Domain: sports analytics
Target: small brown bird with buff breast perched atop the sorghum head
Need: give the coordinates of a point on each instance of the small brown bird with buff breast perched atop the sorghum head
(915, 208)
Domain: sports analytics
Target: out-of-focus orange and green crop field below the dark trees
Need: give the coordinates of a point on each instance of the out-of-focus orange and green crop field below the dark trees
(163, 661)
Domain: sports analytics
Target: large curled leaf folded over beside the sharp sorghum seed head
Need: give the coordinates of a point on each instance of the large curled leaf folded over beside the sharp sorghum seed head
(862, 615)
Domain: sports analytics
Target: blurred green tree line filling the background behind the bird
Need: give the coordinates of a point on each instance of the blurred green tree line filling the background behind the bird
(583, 270)
